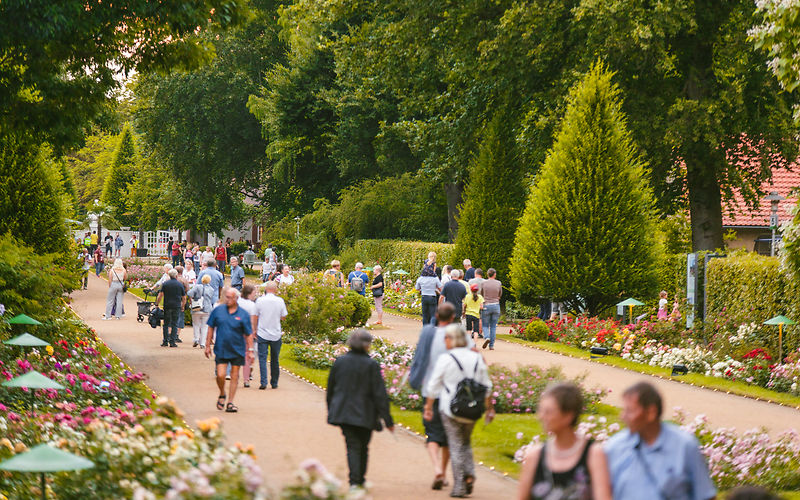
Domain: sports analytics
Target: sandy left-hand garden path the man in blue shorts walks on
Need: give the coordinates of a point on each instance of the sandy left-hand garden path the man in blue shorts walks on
(286, 426)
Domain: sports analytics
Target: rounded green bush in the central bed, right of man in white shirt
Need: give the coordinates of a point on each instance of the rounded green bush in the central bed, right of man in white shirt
(320, 312)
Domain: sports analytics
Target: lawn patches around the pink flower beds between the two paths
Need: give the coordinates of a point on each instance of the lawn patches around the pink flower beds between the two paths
(493, 445)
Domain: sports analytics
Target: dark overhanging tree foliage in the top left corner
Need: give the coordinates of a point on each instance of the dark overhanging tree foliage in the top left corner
(60, 58)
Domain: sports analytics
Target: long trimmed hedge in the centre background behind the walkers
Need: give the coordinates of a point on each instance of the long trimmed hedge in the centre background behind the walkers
(396, 254)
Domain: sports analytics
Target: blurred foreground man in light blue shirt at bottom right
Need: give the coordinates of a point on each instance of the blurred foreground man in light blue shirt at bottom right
(653, 459)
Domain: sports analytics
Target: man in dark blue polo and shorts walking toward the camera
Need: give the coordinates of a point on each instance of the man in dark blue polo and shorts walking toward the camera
(233, 342)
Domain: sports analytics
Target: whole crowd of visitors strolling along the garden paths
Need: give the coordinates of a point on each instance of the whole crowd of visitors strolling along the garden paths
(649, 459)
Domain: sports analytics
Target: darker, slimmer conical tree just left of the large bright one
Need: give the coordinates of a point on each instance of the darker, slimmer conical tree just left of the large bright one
(494, 199)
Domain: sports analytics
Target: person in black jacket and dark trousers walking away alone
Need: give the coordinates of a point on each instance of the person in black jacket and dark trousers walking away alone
(357, 402)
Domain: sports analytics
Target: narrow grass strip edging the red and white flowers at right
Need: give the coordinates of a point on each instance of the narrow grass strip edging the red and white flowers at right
(696, 379)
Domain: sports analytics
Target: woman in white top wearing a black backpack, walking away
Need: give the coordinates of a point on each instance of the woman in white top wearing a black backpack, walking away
(459, 363)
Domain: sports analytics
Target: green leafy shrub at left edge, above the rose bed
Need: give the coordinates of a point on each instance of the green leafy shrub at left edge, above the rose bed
(32, 282)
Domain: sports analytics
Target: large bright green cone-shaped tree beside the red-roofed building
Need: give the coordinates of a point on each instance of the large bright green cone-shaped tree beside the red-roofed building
(586, 237)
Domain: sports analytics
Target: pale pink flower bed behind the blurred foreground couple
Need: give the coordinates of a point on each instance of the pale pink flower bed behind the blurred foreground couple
(733, 459)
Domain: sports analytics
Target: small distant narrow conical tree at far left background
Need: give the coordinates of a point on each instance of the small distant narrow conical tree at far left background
(121, 175)
